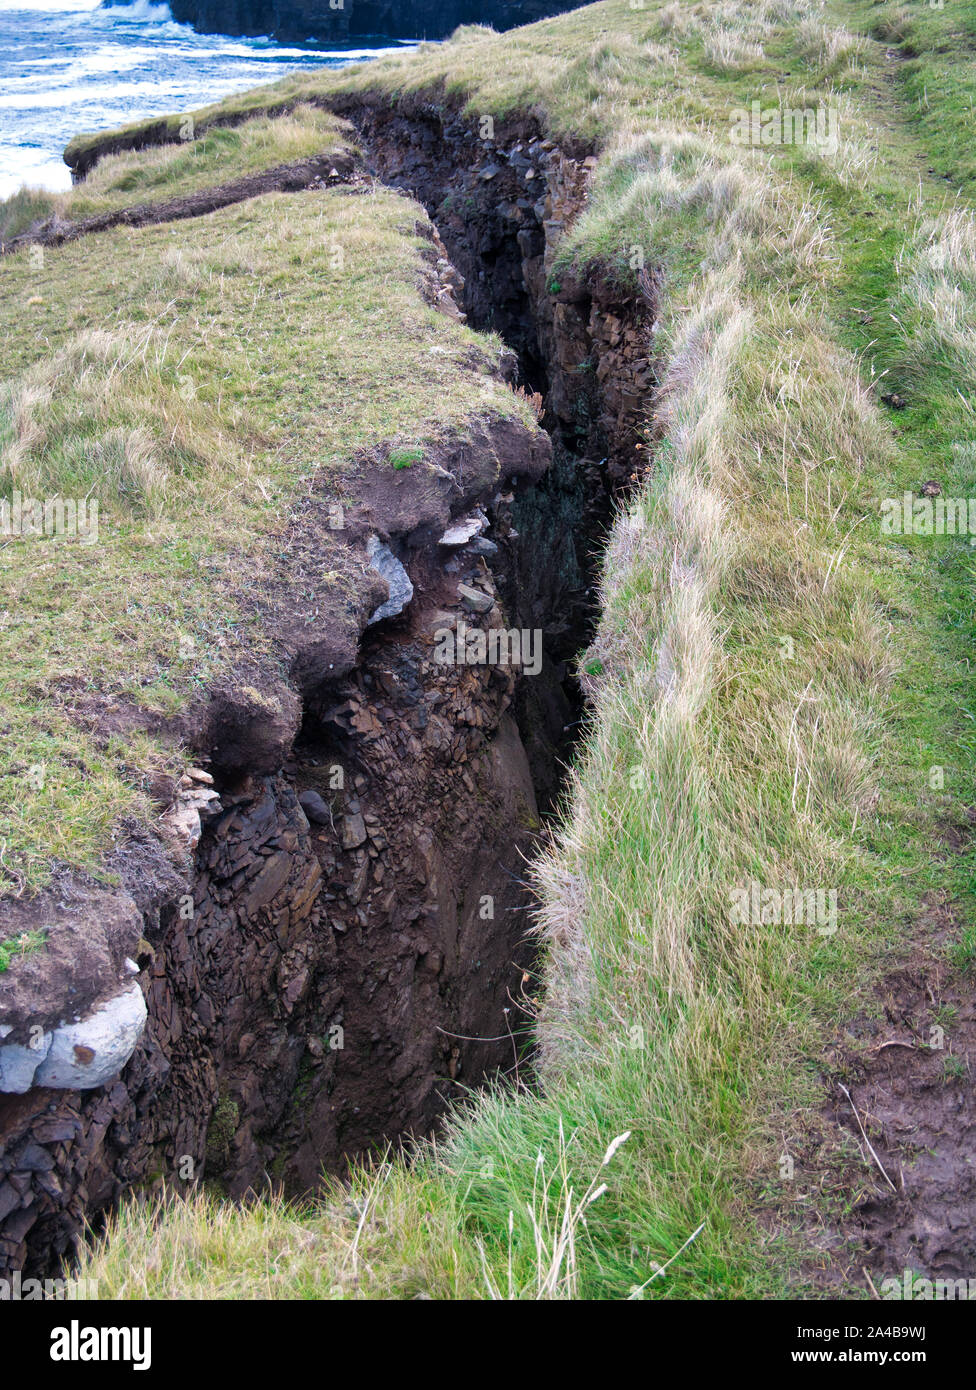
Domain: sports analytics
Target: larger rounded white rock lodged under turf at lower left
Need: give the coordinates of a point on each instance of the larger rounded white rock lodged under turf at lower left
(88, 1054)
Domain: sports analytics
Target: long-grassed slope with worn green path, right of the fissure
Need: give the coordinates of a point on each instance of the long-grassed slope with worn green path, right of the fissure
(774, 682)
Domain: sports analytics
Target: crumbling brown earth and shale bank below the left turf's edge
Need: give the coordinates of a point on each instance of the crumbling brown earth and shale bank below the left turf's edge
(318, 982)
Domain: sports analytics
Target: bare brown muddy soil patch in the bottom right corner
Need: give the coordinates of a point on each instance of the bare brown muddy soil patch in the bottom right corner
(909, 1067)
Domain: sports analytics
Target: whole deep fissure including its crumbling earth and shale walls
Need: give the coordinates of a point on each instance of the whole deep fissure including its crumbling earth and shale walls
(334, 945)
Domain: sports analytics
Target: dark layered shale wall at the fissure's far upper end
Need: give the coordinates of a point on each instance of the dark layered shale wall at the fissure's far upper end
(503, 205)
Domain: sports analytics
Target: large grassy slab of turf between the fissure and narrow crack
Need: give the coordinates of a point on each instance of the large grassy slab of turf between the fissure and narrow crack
(233, 363)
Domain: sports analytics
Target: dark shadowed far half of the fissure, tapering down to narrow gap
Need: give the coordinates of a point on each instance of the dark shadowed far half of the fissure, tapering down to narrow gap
(504, 198)
